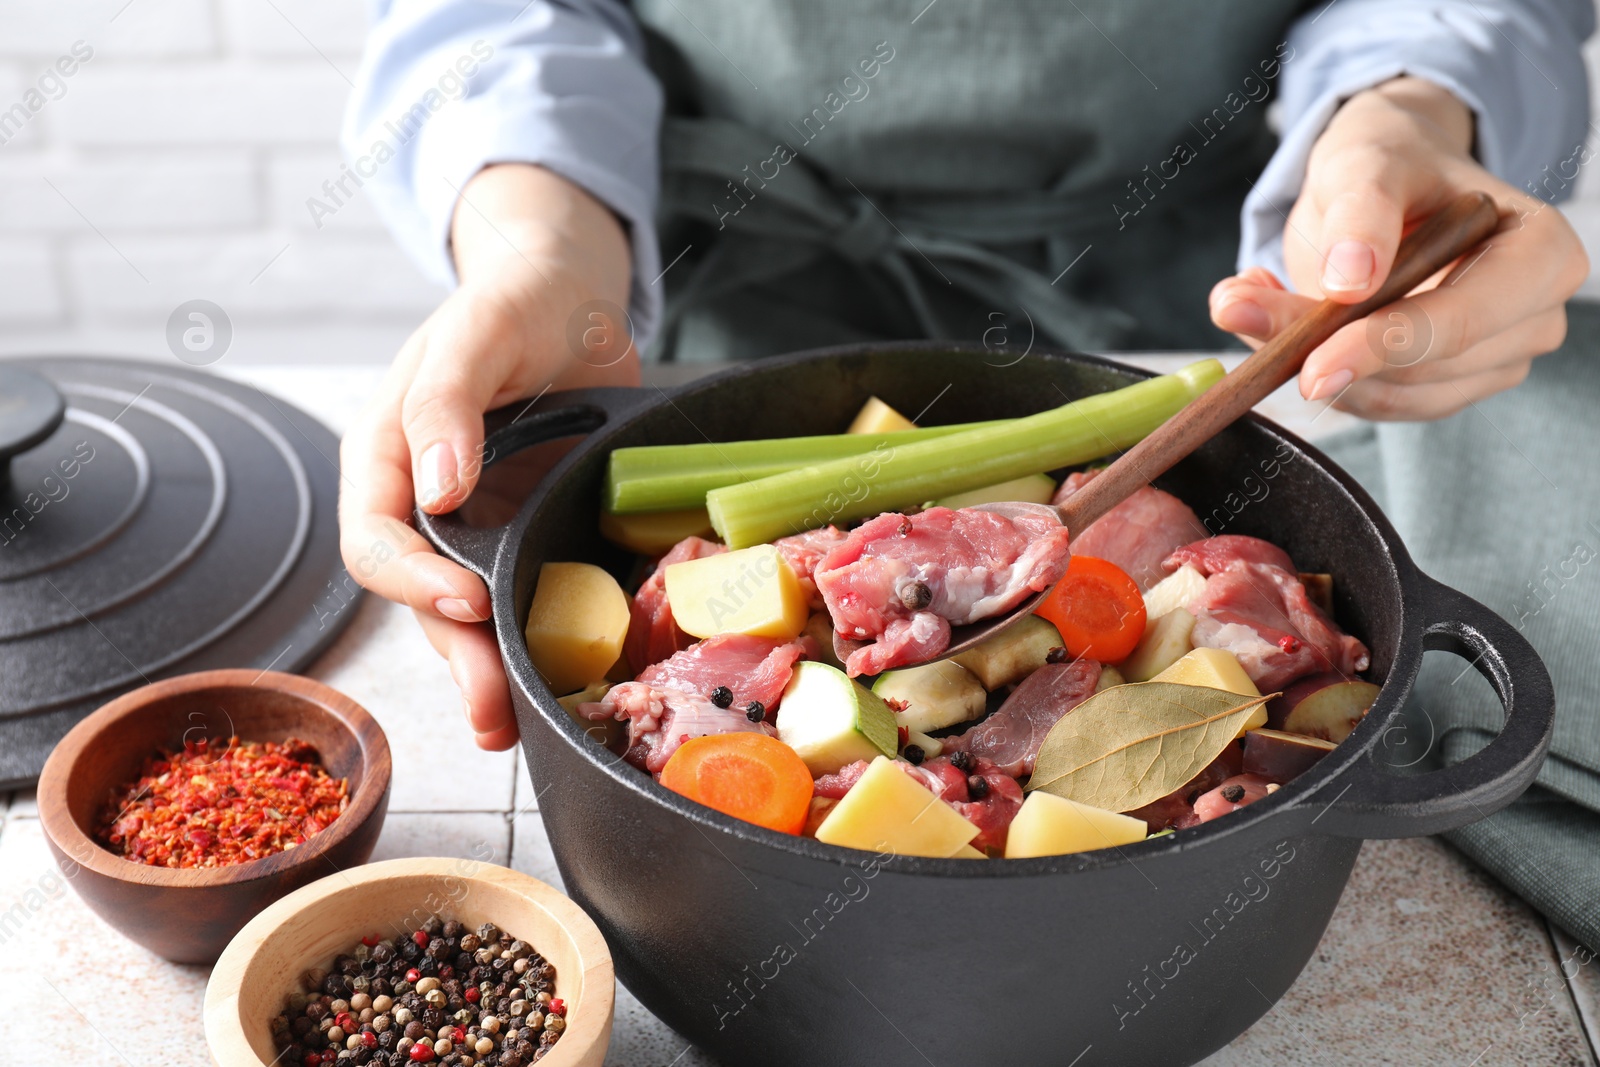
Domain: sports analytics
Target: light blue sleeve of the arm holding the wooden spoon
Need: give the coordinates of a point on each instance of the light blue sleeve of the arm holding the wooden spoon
(1516, 63)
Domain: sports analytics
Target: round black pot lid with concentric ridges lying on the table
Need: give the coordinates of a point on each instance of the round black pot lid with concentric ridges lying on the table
(159, 522)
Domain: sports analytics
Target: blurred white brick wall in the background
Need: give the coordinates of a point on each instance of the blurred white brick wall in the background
(177, 166)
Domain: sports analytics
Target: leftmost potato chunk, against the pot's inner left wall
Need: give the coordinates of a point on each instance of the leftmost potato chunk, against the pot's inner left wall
(577, 625)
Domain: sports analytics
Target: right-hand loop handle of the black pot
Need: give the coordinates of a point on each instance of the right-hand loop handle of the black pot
(1370, 802)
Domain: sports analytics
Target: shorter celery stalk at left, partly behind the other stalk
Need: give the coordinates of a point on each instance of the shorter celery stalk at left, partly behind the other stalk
(676, 478)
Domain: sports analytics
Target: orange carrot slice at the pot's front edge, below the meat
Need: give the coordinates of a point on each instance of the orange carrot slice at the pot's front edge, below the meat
(748, 777)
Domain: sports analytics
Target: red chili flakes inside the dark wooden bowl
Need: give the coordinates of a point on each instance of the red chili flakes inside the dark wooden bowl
(210, 807)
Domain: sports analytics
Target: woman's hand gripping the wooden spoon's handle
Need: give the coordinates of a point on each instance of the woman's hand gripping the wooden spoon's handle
(1393, 156)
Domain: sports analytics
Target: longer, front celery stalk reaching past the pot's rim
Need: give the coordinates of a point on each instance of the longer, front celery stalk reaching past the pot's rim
(895, 476)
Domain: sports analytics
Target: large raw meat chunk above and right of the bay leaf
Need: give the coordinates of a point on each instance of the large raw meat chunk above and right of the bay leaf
(1257, 609)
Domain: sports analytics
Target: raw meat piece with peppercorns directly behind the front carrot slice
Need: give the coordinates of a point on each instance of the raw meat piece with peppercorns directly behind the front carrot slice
(673, 701)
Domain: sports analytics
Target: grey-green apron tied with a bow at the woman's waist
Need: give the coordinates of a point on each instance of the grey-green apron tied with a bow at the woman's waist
(996, 170)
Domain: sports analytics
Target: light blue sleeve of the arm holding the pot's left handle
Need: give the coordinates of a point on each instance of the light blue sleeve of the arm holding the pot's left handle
(449, 87)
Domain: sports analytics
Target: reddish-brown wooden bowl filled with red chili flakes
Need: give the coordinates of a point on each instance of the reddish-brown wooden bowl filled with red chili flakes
(186, 897)
